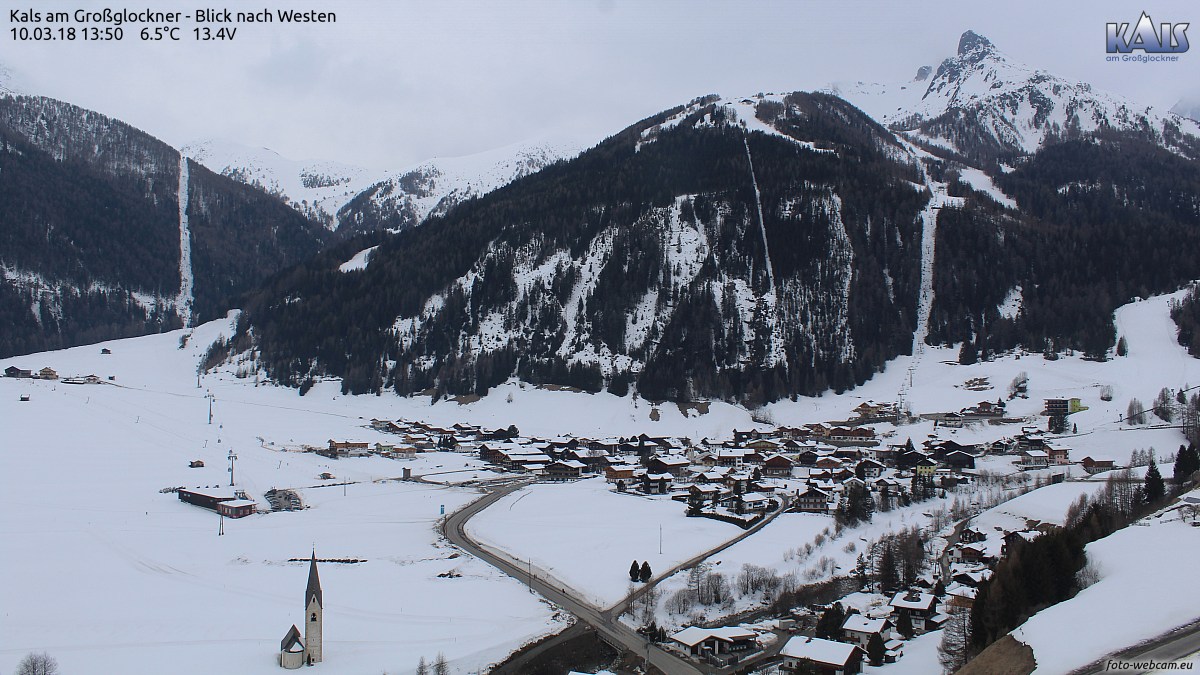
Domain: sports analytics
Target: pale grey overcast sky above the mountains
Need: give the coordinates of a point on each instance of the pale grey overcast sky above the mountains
(394, 83)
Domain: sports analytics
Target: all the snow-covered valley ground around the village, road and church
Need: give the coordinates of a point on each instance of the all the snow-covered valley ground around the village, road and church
(117, 577)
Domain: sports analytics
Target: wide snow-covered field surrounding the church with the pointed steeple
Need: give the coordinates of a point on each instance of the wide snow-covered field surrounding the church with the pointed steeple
(110, 576)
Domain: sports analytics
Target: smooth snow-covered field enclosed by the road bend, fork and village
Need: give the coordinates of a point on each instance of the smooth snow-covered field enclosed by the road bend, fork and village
(586, 535)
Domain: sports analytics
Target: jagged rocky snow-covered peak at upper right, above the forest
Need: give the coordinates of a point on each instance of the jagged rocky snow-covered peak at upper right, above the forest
(982, 105)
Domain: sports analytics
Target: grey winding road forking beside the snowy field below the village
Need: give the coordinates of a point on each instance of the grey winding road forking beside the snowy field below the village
(604, 622)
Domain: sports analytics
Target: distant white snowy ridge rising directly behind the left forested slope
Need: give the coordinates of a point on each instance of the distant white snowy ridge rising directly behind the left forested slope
(317, 189)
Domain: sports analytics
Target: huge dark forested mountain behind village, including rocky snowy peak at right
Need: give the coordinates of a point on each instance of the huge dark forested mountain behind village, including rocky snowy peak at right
(757, 248)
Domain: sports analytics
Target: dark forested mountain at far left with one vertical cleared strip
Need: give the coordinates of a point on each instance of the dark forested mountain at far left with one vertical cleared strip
(109, 232)
